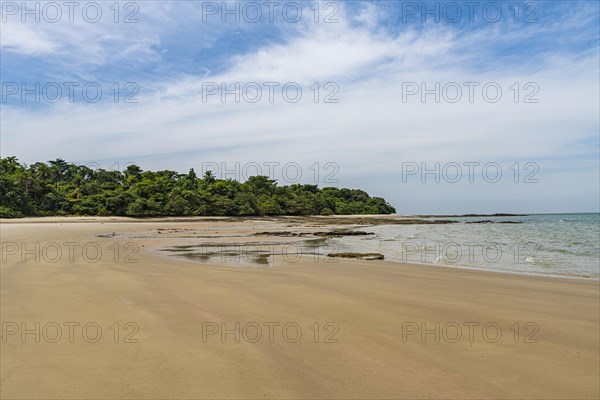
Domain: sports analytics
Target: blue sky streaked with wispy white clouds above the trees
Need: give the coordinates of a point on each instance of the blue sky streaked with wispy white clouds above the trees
(439, 107)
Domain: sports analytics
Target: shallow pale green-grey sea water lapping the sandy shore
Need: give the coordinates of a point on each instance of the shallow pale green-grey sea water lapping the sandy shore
(547, 244)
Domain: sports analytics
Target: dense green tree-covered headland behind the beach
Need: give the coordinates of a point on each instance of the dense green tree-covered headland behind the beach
(61, 188)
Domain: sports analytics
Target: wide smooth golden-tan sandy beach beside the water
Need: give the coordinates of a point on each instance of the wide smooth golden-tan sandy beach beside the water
(119, 317)
